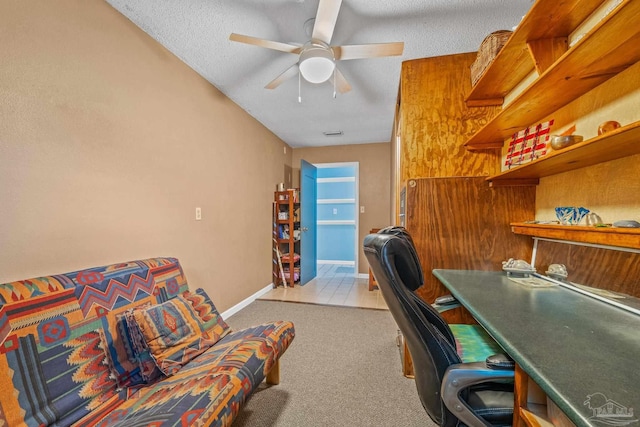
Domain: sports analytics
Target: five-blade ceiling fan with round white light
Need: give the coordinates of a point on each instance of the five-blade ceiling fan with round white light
(316, 58)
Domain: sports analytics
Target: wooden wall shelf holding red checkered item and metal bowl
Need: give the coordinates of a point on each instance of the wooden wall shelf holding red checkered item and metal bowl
(622, 142)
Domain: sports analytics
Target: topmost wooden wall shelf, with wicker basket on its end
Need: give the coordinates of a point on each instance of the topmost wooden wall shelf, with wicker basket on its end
(513, 63)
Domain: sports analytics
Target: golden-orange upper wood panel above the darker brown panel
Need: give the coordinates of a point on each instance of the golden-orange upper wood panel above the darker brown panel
(434, 120)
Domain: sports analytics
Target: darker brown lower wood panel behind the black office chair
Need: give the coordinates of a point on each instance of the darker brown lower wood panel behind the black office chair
(462, 223)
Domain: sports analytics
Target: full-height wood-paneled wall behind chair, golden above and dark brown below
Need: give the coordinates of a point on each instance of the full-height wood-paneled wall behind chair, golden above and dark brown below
(455, 218)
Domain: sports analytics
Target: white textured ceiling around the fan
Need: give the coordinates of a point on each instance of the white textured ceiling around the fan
(197, 31)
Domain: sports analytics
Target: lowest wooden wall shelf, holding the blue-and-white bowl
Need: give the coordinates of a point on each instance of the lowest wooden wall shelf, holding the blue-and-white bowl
(610, 236)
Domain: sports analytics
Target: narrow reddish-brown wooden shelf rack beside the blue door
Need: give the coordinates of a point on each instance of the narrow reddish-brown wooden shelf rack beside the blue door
(286, 238)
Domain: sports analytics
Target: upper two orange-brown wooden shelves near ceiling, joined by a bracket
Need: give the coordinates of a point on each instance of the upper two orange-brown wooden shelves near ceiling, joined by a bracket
(609, 48)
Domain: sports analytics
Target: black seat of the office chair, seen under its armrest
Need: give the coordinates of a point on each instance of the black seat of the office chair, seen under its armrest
(495, 405)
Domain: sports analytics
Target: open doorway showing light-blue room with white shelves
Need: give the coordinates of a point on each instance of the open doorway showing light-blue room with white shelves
(337, 216)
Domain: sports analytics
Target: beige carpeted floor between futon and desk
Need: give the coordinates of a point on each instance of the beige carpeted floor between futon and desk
(342, 369)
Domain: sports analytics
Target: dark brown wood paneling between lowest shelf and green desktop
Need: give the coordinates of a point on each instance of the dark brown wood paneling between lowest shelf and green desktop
(613, 270)
